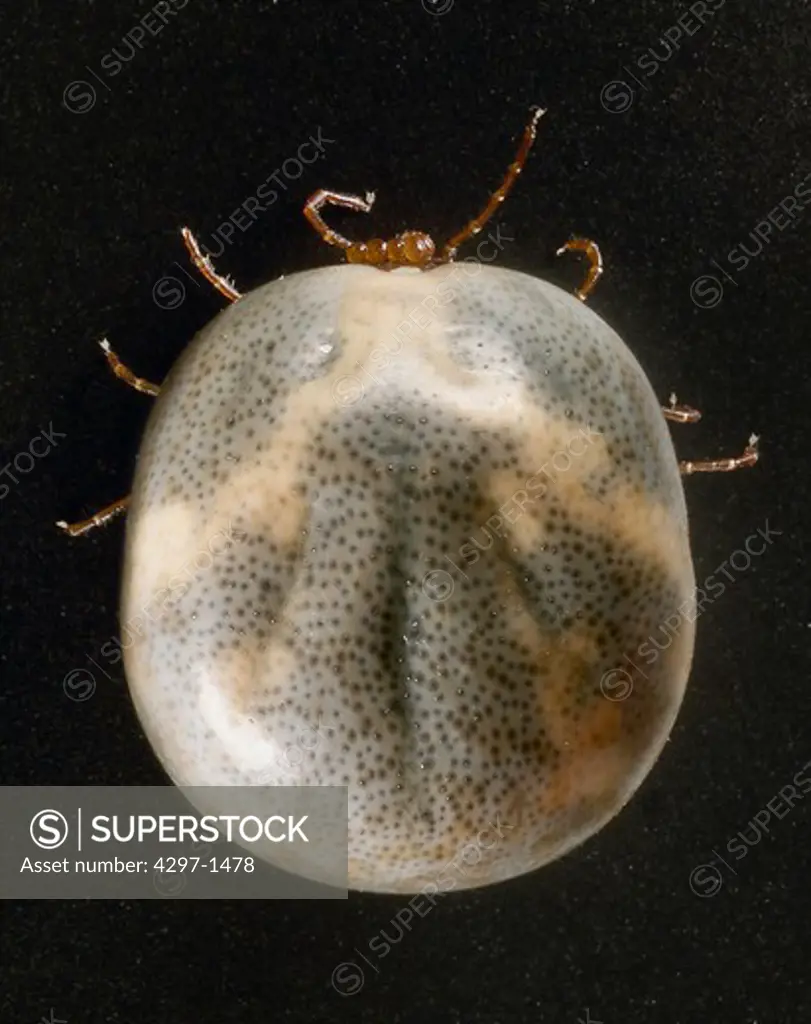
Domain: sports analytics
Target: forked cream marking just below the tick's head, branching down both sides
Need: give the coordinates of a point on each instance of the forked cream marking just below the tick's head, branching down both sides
(393, 334)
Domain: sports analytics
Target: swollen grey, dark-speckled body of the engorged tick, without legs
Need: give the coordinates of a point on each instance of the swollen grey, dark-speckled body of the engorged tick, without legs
(418, 519)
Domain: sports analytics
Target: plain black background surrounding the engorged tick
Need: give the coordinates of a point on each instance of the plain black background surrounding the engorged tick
(425, 108)
